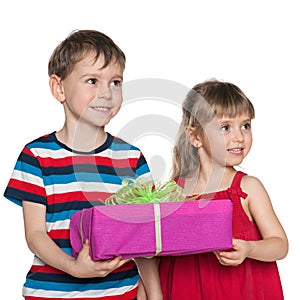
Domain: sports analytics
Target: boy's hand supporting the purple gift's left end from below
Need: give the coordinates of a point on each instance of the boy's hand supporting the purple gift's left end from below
(84, 267)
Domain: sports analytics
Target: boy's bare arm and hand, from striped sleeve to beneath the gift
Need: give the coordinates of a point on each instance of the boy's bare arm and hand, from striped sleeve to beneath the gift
(44, 247)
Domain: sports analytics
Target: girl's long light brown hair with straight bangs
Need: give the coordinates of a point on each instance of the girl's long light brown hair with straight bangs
(203, 102)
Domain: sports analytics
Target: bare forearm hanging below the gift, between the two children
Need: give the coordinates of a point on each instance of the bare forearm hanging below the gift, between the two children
(149, 288)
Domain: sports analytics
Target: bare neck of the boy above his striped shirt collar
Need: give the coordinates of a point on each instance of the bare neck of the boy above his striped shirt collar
(82, 139)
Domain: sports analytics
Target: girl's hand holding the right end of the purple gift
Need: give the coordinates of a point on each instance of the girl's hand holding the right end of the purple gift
(235, 256)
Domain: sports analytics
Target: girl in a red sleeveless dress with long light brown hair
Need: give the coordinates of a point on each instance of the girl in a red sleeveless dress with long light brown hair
(214, 137)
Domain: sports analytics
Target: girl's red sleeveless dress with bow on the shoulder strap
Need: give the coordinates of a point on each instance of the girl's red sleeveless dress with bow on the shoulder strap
(202, 277)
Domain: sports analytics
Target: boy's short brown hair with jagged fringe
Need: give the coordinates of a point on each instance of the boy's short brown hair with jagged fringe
(77, 45)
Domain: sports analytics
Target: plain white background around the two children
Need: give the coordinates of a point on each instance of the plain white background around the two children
(254, 44)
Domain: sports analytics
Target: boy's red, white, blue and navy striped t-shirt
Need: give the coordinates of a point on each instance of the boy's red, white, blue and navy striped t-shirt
(66, 181)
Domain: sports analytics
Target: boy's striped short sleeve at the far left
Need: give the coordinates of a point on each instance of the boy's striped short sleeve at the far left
(26, 182)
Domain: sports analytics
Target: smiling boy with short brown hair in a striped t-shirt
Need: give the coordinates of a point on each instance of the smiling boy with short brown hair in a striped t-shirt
(71, 169)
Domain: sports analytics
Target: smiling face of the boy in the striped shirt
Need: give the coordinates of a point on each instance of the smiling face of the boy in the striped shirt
(92, 95)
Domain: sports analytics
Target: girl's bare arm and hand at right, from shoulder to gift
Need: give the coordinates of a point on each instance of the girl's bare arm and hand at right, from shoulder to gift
(274, 243)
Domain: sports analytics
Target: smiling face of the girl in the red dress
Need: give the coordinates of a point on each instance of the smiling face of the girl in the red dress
(227, 141)
